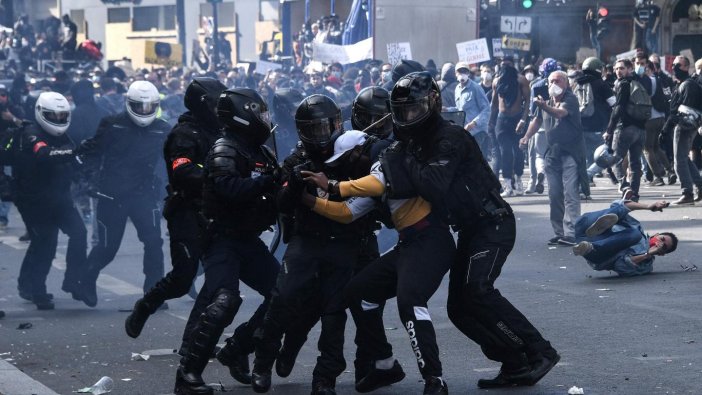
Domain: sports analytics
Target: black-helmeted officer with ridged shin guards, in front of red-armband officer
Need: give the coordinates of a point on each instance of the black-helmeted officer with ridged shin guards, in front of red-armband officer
(239, 188)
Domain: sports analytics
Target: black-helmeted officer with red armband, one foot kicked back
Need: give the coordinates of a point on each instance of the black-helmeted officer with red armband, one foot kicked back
(184, 152)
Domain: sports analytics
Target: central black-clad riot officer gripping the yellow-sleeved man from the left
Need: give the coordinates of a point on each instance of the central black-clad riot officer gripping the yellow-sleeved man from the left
(320, 257)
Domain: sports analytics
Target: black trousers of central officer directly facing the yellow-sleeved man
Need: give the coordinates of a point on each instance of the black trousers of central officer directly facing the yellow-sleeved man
(314, 273)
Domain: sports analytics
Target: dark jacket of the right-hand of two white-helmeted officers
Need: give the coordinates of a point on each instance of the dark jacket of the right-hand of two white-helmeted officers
(123, 156)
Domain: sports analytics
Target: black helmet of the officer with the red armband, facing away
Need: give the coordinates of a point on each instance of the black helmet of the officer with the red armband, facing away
(201, 97)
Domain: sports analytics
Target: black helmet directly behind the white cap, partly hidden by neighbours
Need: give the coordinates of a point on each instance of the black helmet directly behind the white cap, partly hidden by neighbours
(370, 106)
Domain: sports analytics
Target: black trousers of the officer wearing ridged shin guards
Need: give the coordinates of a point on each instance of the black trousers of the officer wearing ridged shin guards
(228, 260)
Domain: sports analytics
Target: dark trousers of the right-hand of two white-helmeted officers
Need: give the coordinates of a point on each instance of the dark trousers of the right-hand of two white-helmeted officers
(112, 218)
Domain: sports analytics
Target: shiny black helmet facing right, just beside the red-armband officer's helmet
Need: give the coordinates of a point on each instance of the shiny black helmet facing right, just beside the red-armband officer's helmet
(243, 111)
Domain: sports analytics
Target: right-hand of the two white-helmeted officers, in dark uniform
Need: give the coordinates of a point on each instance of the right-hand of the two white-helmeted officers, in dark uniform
(123, 156)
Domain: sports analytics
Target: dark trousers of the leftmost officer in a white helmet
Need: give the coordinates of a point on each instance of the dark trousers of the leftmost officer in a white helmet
(43, 222)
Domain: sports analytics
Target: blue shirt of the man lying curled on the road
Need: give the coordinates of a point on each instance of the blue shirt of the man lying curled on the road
(621, 262)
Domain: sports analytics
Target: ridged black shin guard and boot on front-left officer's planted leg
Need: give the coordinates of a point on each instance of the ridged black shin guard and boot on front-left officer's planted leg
(204, 338)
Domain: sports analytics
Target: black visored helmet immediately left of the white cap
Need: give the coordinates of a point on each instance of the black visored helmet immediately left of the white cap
(318, 121)
